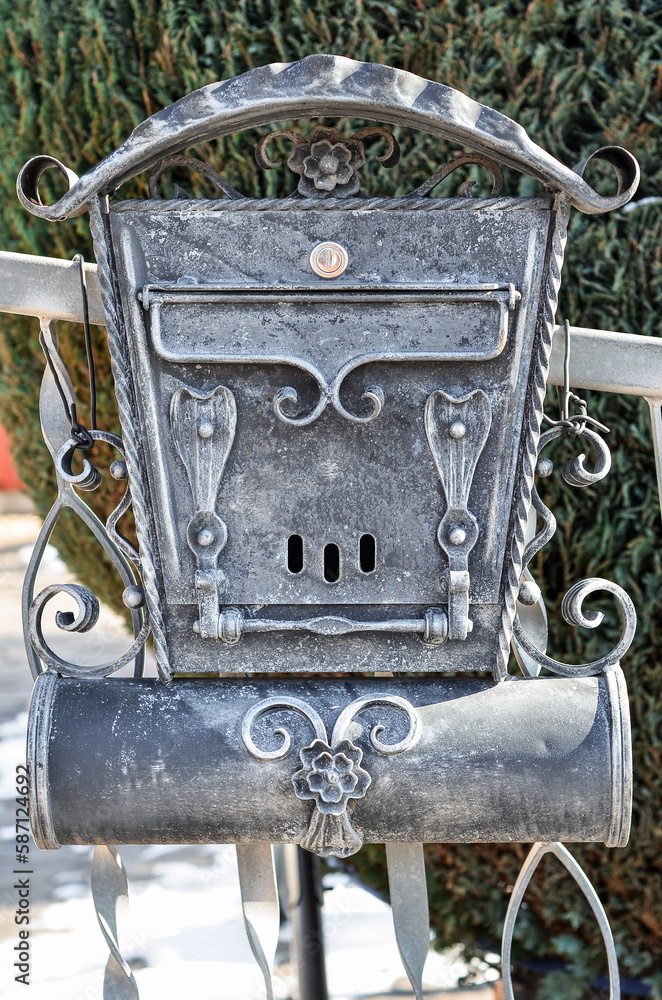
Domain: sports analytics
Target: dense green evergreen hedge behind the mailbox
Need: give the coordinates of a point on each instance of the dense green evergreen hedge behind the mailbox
(76, 78)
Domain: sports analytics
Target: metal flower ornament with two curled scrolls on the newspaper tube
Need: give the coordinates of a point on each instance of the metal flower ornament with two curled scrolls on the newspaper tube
(331, 774)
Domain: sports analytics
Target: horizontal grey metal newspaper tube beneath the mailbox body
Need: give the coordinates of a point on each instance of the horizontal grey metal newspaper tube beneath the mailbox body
(133, 761)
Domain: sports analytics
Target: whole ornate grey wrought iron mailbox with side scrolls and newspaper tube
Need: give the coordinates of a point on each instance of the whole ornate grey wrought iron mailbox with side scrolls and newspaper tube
(331, 412)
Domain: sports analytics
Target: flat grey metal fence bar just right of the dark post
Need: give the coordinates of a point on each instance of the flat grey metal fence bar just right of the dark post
(408, 893)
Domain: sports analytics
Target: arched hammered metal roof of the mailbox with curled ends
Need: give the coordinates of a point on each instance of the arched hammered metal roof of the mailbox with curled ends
(326, 85)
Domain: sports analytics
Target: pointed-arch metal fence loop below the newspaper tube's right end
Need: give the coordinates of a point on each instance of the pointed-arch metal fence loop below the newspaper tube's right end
(533, 859)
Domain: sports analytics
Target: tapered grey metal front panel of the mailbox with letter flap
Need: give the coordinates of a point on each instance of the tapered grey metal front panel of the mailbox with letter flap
(428, 301)
